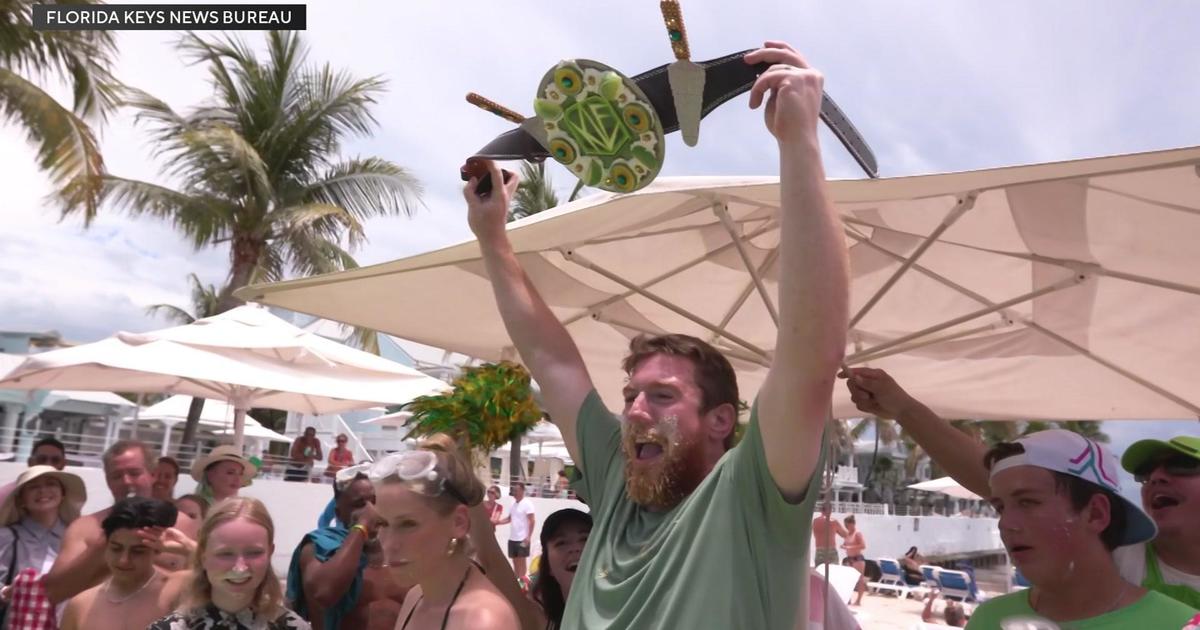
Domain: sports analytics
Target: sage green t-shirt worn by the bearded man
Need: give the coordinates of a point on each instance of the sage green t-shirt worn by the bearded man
(730, 556)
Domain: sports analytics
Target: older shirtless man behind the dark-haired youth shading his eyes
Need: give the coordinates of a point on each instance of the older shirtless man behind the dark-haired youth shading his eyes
(81, 563)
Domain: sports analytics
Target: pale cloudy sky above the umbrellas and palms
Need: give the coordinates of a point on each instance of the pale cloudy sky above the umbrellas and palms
(934, 87)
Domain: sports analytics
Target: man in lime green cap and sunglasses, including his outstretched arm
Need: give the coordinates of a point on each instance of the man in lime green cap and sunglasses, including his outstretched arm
(1169, 473)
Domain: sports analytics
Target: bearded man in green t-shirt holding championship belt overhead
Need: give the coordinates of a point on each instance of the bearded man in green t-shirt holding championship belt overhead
(691, 531)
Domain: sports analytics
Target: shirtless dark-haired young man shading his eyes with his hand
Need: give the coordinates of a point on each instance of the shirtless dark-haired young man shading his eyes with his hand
(139, 592)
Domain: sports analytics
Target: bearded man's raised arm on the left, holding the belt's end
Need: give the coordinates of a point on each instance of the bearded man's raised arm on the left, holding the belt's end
(547, 349)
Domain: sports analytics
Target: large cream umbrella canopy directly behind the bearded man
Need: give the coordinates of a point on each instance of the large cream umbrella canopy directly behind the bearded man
(1063, 292)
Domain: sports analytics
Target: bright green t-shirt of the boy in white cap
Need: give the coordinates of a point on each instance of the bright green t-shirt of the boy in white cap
(1154, 611)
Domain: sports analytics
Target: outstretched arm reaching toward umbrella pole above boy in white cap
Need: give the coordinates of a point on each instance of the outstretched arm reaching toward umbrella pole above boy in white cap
(874, 392)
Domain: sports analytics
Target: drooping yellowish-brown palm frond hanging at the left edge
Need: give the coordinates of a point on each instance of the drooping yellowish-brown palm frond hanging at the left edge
(67, 147)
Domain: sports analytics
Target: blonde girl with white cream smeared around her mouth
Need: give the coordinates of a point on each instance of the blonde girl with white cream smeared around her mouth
(233, 586)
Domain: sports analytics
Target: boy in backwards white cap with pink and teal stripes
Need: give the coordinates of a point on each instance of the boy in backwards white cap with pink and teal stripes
(1061, 515)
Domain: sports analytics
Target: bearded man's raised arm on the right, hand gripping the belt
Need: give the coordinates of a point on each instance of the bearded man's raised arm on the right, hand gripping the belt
(794, 404)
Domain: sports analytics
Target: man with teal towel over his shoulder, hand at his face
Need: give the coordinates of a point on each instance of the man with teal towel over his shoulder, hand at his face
(340, 580)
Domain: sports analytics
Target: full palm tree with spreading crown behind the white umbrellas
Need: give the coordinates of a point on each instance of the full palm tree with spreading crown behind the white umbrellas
(260, 166)
